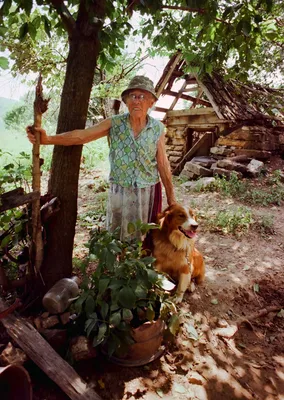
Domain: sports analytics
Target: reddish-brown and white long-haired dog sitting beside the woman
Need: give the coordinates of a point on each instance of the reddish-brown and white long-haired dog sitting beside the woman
(174, 248)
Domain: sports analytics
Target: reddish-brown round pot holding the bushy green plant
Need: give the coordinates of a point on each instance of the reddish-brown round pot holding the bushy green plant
(147, 347)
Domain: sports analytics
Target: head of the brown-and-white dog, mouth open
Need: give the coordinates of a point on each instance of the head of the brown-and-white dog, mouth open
(176, 217)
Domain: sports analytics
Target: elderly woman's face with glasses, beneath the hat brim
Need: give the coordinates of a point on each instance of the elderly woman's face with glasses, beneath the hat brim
(138, 102)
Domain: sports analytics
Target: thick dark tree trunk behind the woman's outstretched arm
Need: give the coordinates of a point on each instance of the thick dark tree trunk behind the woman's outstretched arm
(64, 175)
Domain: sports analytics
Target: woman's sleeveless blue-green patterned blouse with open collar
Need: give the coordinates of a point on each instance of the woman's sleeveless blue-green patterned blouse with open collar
(133, 159)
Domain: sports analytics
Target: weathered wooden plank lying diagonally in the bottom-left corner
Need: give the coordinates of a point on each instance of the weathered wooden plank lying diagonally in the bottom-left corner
(42, 354)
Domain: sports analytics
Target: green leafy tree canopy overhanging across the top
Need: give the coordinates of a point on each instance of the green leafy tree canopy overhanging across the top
(240, 36)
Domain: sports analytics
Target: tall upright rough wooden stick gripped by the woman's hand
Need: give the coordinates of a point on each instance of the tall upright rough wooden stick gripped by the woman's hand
(40, 106)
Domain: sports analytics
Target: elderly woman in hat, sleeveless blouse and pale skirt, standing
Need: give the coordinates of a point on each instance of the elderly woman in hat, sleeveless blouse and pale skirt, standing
(137, 157)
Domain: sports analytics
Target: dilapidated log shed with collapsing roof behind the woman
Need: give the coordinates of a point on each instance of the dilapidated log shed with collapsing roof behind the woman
(201, 113)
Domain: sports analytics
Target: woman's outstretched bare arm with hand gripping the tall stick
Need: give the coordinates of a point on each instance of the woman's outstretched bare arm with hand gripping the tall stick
(78, 136)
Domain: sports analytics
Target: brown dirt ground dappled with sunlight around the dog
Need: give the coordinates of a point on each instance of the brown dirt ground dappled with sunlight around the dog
(244, 275)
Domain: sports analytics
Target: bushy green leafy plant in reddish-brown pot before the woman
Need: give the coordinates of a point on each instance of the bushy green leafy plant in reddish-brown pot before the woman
(125, 304)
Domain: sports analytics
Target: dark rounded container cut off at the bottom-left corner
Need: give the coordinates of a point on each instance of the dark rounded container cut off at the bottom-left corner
(15, 383)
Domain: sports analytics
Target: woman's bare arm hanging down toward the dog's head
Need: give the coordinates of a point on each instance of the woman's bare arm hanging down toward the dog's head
(165, 170)
